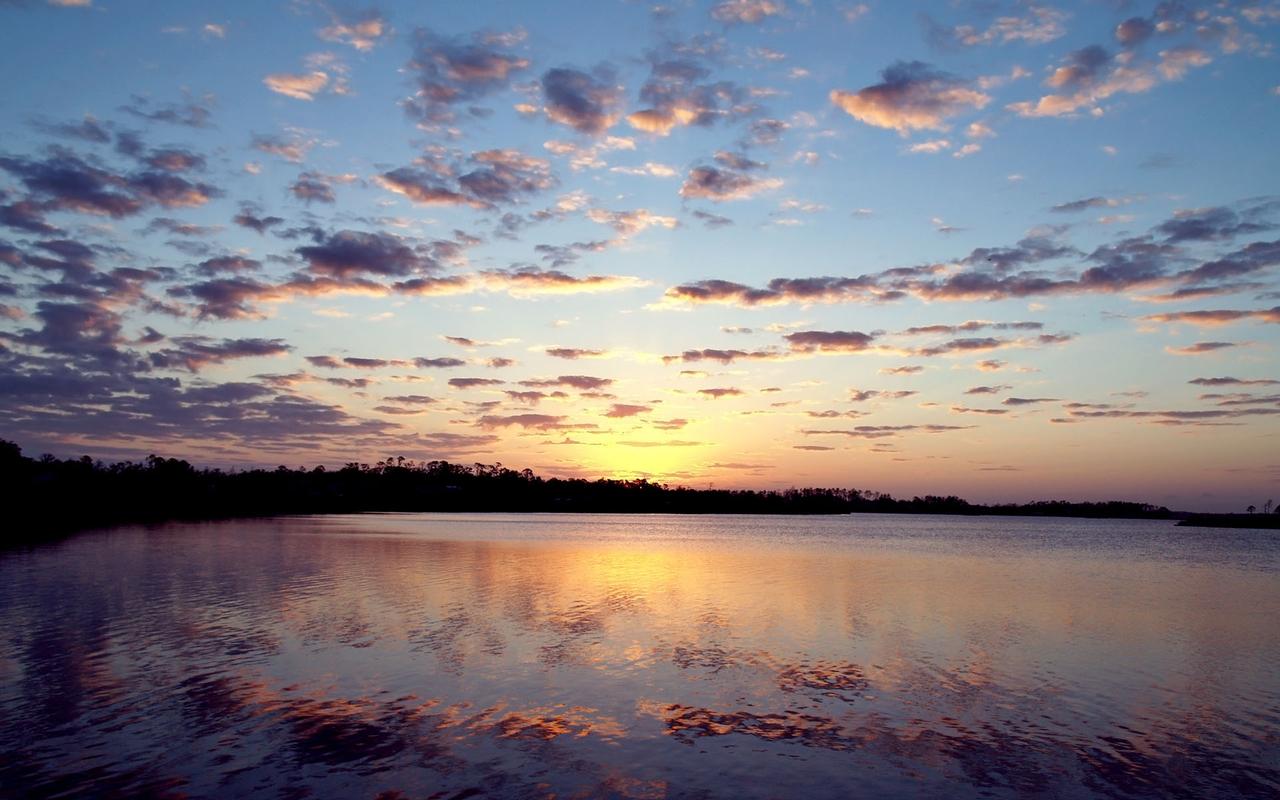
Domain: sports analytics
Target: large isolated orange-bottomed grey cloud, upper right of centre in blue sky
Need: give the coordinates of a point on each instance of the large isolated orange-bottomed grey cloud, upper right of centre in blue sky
(912, 97)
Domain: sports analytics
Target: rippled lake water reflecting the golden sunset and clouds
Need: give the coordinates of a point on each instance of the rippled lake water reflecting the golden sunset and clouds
(410, 656)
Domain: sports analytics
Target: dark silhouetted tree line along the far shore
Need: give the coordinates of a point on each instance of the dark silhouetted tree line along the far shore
(81, 493)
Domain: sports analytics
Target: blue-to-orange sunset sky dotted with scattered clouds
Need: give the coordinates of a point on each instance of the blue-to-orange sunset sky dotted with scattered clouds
(1009, 252)
